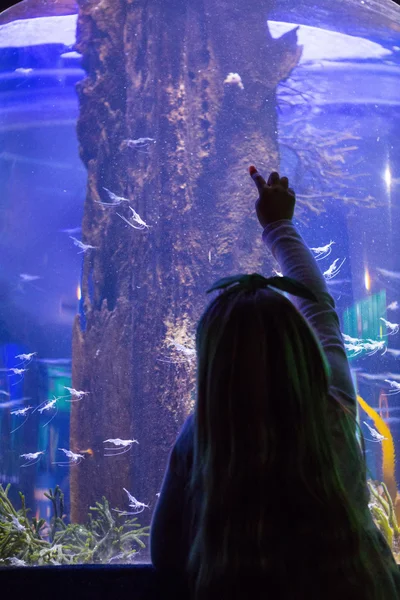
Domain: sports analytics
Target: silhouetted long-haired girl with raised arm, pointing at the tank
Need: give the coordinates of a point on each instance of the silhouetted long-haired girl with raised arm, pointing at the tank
(265, 492)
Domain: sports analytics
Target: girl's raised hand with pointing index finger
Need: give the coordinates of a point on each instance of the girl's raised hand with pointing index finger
(276, 199)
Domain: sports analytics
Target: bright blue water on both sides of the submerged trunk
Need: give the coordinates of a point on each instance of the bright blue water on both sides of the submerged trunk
(338, 131)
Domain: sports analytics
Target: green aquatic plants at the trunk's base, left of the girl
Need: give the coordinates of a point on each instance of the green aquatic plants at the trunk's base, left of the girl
(107, 537)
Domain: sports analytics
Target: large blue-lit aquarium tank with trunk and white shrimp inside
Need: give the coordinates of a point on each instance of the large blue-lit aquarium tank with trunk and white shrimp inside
(126, 132)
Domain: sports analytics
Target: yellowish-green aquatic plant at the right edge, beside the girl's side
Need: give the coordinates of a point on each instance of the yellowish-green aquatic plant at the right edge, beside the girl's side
(383, 513)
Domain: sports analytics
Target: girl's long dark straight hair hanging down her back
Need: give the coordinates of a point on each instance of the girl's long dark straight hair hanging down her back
(274, 508)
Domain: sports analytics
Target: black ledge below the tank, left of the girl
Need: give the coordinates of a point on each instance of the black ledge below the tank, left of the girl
(91, 582)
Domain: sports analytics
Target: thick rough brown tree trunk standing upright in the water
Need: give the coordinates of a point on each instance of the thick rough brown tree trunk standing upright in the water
(157, 70)
